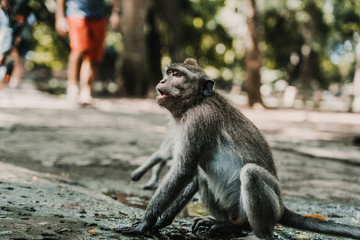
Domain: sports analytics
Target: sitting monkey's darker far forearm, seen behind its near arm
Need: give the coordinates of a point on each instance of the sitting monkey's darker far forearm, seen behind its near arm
(167, 218)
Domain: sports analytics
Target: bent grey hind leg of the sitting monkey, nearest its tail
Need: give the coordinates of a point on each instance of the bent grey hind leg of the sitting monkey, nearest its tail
(260, 195)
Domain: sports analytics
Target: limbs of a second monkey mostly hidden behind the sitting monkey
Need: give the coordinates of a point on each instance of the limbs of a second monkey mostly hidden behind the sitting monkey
(157, 161)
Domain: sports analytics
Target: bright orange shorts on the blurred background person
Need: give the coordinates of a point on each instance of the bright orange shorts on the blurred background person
(87, 35)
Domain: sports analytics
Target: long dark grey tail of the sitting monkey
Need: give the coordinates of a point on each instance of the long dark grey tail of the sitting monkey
(300, 222)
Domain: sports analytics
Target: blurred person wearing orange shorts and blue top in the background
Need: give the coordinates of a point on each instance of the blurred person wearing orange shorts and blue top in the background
(85, 22)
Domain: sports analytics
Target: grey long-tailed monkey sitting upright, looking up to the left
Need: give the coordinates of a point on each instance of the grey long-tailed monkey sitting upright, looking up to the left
(221, 154)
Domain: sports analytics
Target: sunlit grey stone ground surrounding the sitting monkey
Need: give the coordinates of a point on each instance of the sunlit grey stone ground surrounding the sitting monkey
(61, 166)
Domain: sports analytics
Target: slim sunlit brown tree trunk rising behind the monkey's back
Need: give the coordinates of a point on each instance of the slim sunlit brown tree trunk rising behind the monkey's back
(253, 63)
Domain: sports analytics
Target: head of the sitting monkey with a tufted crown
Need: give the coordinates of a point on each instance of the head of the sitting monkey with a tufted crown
(183, 84)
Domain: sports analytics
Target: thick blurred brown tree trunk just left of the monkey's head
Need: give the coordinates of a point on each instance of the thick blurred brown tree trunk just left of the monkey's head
(136, 74)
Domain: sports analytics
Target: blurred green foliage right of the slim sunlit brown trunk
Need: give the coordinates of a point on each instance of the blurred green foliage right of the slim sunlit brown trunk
(326, 25)
